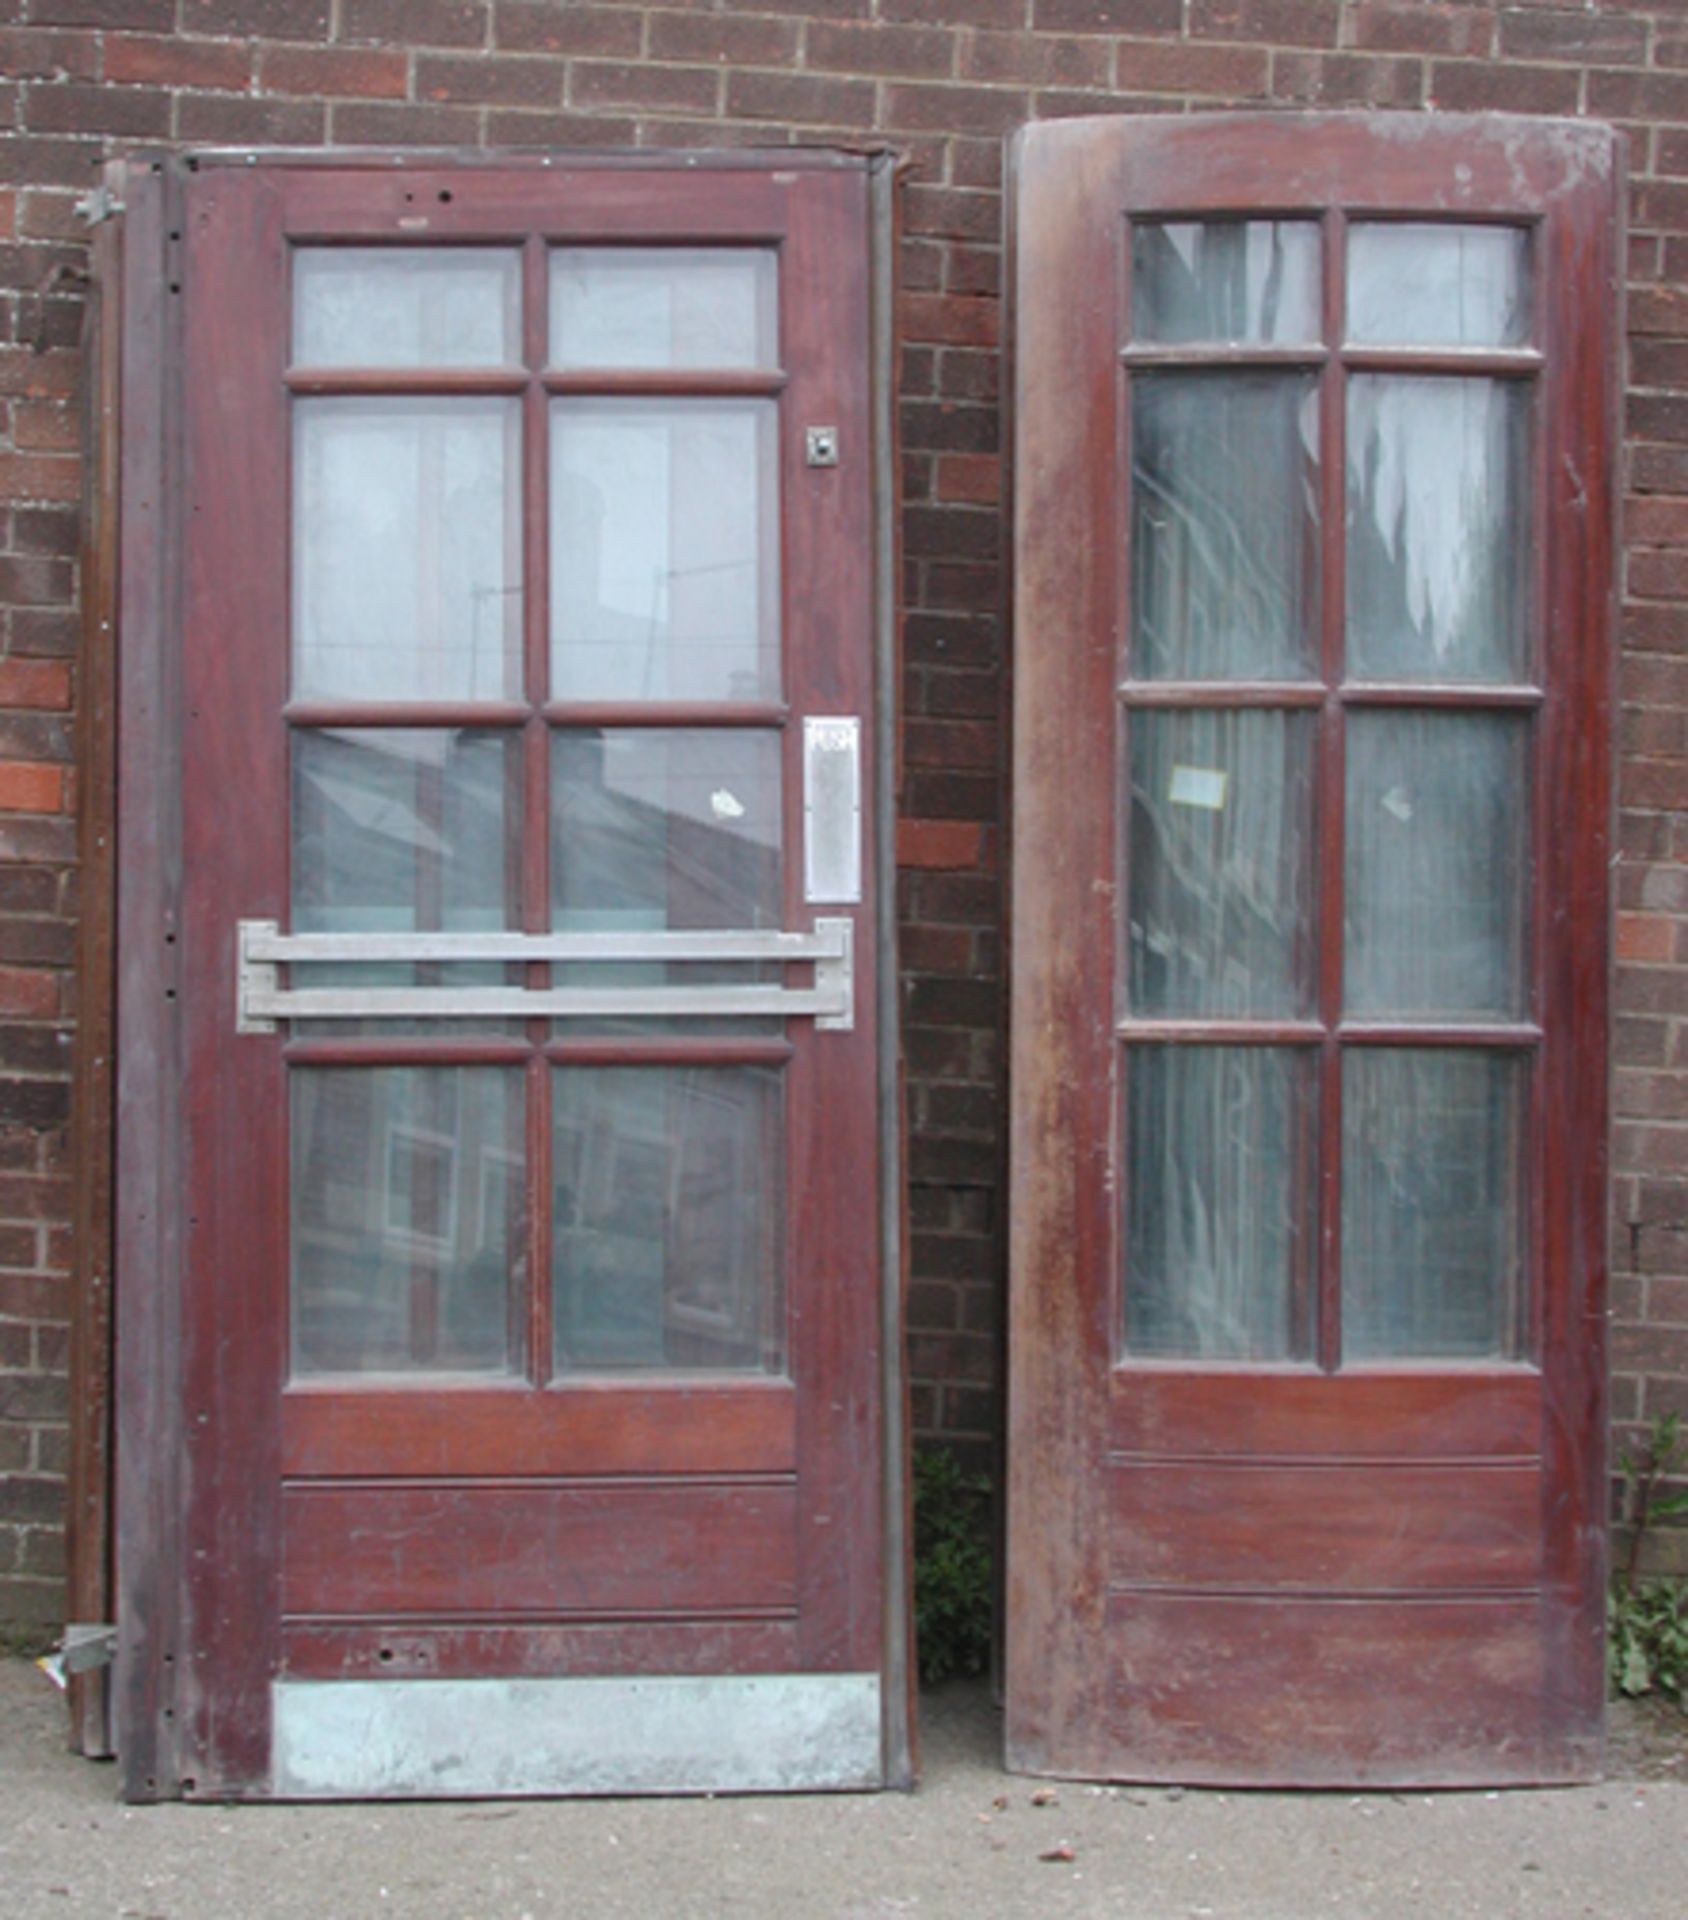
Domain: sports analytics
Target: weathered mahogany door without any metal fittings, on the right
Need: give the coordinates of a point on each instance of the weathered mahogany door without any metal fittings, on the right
(1314, 502)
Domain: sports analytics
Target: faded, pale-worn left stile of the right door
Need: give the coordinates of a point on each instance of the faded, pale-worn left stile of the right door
(1061, 1205)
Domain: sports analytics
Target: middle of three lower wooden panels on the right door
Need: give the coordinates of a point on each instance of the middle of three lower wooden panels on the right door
(1336, 1529)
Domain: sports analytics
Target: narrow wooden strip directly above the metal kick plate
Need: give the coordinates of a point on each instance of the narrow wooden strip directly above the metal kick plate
(314, 1650)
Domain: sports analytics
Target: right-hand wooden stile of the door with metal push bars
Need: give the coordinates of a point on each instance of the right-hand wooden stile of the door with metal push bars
(834, 1143)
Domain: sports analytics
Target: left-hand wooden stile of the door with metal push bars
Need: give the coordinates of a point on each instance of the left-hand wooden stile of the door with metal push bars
(237, 1178)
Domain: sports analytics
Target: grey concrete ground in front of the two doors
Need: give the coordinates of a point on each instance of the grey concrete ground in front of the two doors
(973, 1844)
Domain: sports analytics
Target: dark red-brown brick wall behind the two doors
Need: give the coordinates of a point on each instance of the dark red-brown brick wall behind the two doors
(944, 80)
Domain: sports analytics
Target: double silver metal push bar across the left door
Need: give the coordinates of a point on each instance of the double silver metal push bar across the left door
(264, 949)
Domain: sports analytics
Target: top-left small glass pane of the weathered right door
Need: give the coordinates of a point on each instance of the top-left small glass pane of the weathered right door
(1226, 281)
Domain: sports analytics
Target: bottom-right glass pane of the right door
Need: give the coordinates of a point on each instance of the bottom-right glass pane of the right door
(1432, 1205)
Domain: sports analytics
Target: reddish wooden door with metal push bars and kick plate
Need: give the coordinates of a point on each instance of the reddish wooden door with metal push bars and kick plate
(523, 1297)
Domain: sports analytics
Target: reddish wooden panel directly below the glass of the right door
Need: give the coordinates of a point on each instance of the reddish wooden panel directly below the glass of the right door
(1386, 1416)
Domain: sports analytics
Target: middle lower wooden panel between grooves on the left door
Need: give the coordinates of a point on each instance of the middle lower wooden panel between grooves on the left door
(627, 1547)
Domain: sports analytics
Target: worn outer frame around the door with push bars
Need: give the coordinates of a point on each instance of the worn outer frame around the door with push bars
(155, 1683)
